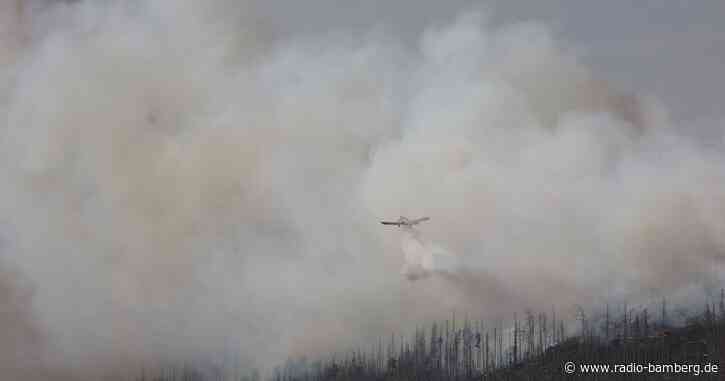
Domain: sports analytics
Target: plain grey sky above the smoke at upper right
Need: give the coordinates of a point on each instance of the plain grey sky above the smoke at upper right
(642, 45)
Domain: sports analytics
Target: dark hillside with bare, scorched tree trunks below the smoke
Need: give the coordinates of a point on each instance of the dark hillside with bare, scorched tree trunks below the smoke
(532, 347)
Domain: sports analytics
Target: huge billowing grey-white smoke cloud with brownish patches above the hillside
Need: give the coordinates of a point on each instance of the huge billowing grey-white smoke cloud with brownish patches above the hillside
(192, 182)
